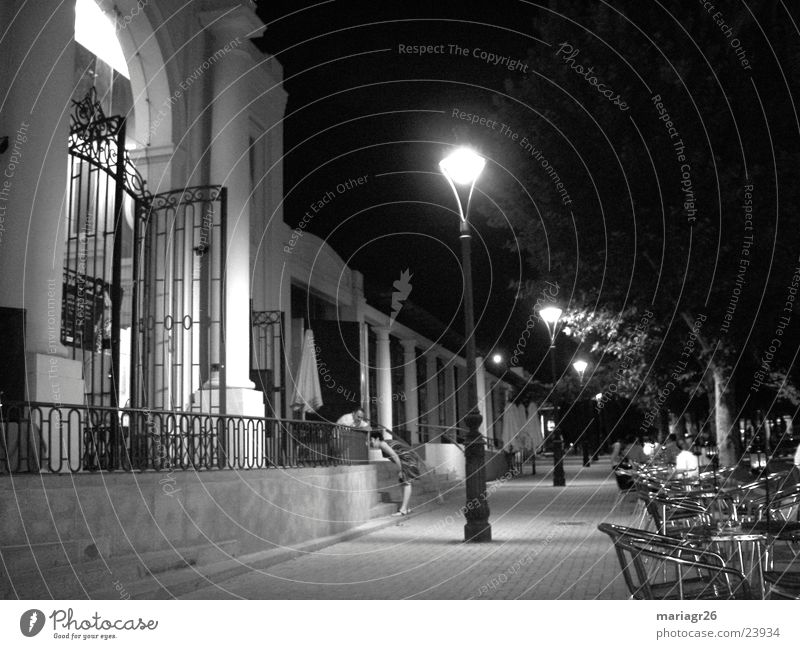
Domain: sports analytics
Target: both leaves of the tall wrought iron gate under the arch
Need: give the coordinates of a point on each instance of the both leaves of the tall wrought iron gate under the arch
(143, 294)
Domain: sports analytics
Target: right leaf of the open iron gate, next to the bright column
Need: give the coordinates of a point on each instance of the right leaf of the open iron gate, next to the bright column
(178, 350)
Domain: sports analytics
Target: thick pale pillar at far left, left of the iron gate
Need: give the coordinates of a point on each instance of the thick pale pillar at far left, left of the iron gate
(38, 76)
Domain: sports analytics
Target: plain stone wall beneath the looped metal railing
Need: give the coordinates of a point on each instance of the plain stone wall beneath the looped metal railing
(79, 516)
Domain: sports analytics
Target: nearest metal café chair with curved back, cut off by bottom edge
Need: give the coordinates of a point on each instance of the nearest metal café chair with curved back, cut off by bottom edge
(659, 567)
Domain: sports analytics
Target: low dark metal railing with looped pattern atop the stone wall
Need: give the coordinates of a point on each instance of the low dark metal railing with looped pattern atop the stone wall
(44, 437)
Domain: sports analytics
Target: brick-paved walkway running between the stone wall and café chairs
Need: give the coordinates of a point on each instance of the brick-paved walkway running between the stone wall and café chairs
(545, 546)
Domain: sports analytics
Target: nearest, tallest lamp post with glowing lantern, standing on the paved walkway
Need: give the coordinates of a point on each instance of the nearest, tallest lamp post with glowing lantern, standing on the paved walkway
(462, 168)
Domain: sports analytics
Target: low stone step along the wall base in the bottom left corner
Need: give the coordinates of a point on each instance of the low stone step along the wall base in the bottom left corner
(110, 574)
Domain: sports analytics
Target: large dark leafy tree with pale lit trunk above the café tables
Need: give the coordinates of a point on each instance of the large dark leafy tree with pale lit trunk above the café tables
(651, 178)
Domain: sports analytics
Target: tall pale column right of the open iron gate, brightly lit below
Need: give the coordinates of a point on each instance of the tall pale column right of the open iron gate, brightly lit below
(230, 167)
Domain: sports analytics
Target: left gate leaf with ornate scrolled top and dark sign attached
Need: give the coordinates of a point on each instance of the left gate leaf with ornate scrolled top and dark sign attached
(106, 196)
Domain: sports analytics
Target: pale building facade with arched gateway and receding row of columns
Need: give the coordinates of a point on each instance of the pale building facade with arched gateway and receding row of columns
(145, 260)
